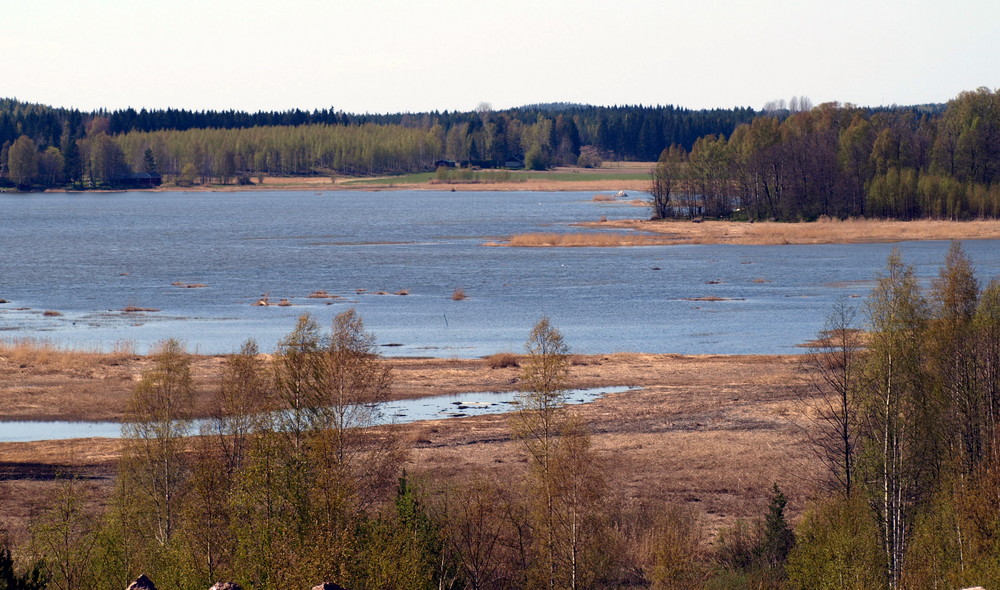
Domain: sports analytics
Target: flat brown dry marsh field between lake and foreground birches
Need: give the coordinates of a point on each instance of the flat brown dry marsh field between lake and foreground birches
(712, 432)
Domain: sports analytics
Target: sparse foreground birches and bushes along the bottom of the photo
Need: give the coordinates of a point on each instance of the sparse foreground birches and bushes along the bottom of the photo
(289, 482)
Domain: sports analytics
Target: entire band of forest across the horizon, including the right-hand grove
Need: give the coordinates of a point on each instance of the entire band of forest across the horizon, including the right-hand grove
(798, 163)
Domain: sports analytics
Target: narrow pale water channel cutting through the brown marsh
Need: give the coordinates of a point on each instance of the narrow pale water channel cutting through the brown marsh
(395, 412)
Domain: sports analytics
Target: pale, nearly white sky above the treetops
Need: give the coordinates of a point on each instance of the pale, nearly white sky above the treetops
(387, 56)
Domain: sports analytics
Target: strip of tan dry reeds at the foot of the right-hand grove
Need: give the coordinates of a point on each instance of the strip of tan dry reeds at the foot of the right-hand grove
(827, 231)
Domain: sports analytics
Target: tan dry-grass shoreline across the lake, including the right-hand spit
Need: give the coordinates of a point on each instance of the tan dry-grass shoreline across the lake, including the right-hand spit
(632, 232)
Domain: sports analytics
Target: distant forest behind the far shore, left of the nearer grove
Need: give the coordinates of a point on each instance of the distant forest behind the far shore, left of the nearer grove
(73, 147)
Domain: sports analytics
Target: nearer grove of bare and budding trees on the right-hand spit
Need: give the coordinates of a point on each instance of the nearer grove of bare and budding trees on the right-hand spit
(842, 161)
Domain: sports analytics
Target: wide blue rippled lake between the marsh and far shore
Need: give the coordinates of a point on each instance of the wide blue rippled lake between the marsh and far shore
(89, 256)
